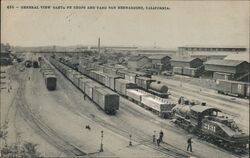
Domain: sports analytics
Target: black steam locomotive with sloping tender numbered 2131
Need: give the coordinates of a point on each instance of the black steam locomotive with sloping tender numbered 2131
(210, 124)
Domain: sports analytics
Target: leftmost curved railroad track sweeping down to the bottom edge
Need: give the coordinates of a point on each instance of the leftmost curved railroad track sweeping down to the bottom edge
(49, 134)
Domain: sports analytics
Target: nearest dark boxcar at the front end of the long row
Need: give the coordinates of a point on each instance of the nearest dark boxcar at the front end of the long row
(107, 100)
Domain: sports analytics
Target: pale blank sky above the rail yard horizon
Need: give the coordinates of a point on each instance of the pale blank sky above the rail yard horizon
(216, 23)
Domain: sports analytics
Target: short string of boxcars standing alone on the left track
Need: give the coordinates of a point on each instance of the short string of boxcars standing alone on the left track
(48, 75)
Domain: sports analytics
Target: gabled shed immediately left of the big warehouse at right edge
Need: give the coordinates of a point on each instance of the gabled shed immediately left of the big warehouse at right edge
(186, 62)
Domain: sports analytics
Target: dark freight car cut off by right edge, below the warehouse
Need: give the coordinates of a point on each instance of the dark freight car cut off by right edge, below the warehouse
(240, 89)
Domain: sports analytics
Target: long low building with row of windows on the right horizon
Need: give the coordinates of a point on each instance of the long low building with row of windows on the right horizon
(209, 52)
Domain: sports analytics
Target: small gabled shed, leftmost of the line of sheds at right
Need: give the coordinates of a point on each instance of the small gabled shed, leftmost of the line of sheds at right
(138, 62)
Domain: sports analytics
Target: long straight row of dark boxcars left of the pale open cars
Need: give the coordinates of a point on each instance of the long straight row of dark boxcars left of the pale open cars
(100, 95)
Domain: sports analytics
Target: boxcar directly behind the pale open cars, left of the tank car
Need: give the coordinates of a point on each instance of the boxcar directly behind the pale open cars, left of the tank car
(121, 85)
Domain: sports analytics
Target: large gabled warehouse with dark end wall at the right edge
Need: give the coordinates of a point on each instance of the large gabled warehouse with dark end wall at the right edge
(228, 69)
